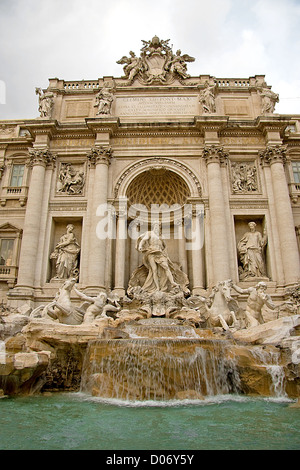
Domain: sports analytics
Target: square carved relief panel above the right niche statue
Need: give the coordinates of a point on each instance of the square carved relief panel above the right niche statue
(244, 177)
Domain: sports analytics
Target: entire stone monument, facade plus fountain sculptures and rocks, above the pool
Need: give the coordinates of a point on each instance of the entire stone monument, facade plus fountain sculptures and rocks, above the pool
(147, 236)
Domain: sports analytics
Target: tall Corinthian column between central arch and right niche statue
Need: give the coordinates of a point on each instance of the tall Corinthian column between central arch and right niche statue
(214, 156)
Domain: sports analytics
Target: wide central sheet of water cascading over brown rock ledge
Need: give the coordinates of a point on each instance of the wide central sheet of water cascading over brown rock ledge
(173, 363)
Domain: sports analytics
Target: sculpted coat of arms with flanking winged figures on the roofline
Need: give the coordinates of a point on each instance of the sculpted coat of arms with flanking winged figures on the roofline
(156, 64)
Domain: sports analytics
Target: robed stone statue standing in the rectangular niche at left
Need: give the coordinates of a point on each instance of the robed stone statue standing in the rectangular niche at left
(66, 254)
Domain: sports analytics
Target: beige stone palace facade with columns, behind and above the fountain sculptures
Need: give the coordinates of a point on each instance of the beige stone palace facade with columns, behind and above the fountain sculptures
(204, 156)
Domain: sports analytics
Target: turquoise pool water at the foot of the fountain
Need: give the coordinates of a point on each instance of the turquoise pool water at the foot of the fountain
(78, 422)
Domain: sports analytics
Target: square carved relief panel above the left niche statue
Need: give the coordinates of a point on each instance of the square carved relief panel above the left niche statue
(70, 179)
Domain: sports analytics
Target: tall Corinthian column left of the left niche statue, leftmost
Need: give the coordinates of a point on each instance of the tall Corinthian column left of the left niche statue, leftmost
(38, 160)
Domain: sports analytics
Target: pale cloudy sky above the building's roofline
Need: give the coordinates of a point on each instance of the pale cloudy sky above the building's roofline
(76, 40)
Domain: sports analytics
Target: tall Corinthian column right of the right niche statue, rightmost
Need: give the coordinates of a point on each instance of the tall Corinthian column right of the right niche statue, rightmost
(275, 157)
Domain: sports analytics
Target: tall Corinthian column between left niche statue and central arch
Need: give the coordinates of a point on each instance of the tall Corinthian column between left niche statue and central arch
(99, 158)
